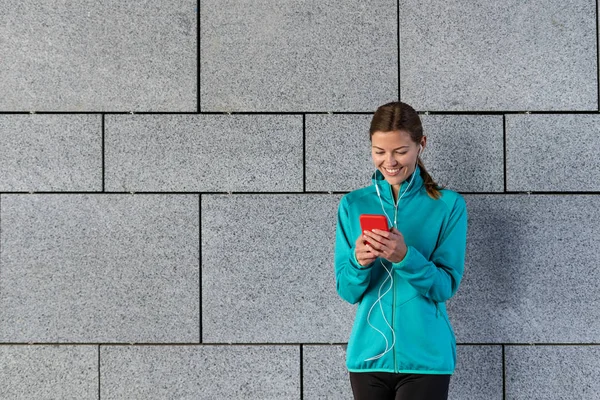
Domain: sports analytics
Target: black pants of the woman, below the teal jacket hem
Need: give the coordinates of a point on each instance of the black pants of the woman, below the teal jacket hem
(383, 385)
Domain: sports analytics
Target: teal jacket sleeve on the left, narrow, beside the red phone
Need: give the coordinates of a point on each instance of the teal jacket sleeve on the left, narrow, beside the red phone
(351, 279)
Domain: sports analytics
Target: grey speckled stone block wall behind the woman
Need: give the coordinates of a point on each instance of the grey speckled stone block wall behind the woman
(170, 173)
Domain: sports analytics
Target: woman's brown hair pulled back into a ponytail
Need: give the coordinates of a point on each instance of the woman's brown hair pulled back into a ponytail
(398, 116)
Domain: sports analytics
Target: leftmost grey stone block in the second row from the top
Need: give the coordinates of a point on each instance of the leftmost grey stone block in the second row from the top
(50, 152)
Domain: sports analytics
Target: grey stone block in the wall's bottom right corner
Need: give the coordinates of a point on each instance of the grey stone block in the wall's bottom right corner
(552, 372)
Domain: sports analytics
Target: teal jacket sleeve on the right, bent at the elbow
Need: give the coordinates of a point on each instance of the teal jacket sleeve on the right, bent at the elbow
(439, 278)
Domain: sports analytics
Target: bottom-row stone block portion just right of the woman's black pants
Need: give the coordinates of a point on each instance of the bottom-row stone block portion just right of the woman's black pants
(478, 374)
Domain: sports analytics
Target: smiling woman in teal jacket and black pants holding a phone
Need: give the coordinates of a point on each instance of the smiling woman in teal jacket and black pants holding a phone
(402, 344)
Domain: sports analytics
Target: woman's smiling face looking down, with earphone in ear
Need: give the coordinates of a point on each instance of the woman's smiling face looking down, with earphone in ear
(395, 154)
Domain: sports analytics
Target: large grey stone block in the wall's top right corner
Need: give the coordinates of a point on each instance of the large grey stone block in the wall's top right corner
(501, 56)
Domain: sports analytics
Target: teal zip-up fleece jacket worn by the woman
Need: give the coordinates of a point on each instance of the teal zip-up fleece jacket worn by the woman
(435, 234)
